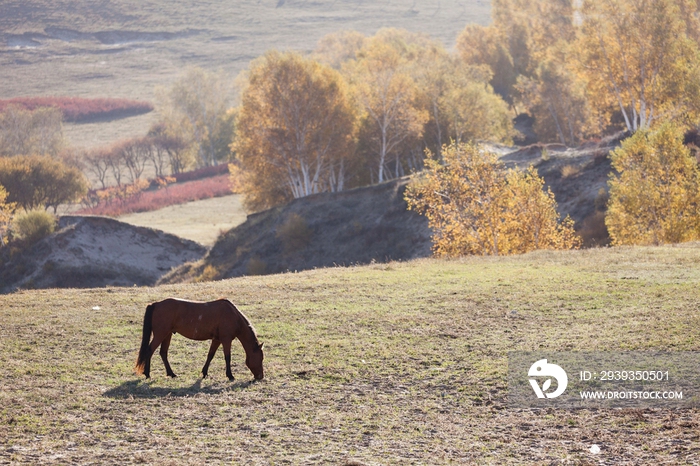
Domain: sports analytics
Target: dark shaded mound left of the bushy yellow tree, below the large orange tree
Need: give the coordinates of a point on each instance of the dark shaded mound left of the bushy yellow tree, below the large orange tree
(324, 230)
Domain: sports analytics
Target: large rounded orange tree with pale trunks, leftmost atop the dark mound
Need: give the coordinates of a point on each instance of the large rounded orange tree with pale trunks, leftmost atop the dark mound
(295, 129)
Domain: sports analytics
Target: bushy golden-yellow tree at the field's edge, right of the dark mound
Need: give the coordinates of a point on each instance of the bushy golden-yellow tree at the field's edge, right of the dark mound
(475, 205)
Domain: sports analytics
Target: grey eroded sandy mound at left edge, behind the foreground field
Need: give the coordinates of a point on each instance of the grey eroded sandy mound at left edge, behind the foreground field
(94, 252)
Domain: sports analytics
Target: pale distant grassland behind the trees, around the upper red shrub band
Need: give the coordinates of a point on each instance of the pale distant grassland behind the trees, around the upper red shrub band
(125, 48)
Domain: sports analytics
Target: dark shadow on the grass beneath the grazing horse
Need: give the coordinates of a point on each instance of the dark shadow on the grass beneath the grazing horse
(145, 389)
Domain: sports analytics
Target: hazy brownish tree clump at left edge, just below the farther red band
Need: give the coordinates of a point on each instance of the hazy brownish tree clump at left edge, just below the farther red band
(25, 132)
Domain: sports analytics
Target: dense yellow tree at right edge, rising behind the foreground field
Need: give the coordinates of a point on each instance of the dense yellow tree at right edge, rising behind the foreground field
(654, 198)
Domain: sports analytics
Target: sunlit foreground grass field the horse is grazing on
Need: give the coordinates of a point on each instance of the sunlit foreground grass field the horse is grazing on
(400, 363)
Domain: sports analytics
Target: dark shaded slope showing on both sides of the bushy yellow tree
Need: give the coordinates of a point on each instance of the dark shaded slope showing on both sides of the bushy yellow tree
(372, 224)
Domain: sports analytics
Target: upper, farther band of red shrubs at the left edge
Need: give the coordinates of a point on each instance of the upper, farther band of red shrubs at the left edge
(79, 109)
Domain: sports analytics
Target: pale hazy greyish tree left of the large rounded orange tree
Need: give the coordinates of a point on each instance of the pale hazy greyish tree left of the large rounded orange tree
(195, 107)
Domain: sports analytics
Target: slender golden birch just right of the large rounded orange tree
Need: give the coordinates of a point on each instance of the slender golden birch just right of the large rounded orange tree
(388, 96)
